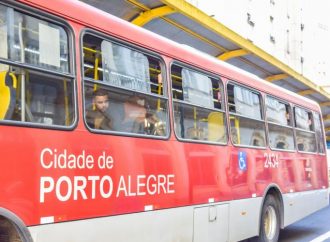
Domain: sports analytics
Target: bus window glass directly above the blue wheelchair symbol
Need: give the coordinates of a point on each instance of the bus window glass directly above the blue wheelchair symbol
(246, 121)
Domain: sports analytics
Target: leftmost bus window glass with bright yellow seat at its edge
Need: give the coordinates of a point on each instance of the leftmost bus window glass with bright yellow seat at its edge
(29, 95)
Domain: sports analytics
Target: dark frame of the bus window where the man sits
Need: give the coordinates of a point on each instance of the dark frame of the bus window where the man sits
(124, 43)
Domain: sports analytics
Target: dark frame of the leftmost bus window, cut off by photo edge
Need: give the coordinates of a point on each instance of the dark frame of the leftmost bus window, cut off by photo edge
(71, 75)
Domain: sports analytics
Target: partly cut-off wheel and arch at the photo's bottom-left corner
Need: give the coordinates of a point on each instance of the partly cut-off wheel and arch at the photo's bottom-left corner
(12, 229)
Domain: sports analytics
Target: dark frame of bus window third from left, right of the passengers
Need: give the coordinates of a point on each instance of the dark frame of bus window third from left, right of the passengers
(222, 110)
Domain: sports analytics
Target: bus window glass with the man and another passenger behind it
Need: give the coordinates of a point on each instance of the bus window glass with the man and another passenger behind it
(133, 84)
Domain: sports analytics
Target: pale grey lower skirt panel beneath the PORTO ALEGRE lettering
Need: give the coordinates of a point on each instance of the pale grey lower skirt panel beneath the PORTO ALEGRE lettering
(161, 226)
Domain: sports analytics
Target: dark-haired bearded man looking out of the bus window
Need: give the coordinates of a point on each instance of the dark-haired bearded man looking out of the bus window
(98, 117)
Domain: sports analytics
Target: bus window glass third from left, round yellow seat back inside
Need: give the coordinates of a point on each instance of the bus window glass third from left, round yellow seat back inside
(197, 100)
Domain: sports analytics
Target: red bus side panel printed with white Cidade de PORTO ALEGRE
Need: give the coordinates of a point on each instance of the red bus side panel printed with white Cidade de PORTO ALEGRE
(54, 176)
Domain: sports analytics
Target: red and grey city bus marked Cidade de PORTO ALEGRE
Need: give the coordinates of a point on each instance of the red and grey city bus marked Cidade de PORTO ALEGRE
(111, 133)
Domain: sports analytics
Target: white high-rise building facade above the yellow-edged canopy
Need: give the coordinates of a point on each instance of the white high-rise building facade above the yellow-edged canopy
(296, 32)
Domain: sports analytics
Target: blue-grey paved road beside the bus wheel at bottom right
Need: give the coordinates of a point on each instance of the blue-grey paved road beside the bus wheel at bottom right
(314, 228)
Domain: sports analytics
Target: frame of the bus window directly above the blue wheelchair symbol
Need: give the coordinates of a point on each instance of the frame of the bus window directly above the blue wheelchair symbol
(262, 112)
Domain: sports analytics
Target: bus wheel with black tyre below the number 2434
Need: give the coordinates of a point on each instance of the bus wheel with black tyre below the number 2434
(271, 216)
